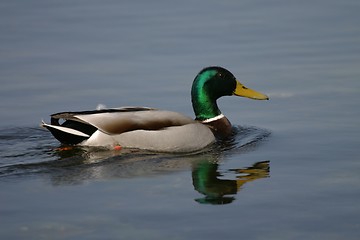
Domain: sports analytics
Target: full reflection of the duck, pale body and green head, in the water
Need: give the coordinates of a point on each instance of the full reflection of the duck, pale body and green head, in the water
(219, 186)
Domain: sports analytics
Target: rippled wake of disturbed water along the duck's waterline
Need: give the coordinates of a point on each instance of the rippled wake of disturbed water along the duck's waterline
(29, 150)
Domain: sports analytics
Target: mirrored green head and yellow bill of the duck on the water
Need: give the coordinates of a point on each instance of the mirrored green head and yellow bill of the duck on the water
(207, 181)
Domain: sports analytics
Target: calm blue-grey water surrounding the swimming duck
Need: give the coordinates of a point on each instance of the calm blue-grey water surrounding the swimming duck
(297, 155)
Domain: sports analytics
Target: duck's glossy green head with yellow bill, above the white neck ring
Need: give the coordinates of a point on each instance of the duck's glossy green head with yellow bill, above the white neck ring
(212, 83)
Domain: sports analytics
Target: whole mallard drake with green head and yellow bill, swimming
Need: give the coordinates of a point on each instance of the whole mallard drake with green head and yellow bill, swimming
(154, 129)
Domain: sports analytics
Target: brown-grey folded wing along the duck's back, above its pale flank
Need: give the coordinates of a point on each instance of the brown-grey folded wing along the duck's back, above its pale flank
(120, 120)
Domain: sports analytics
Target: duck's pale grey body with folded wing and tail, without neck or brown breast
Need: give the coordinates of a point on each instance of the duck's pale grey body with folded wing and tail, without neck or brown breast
(142, 128)
